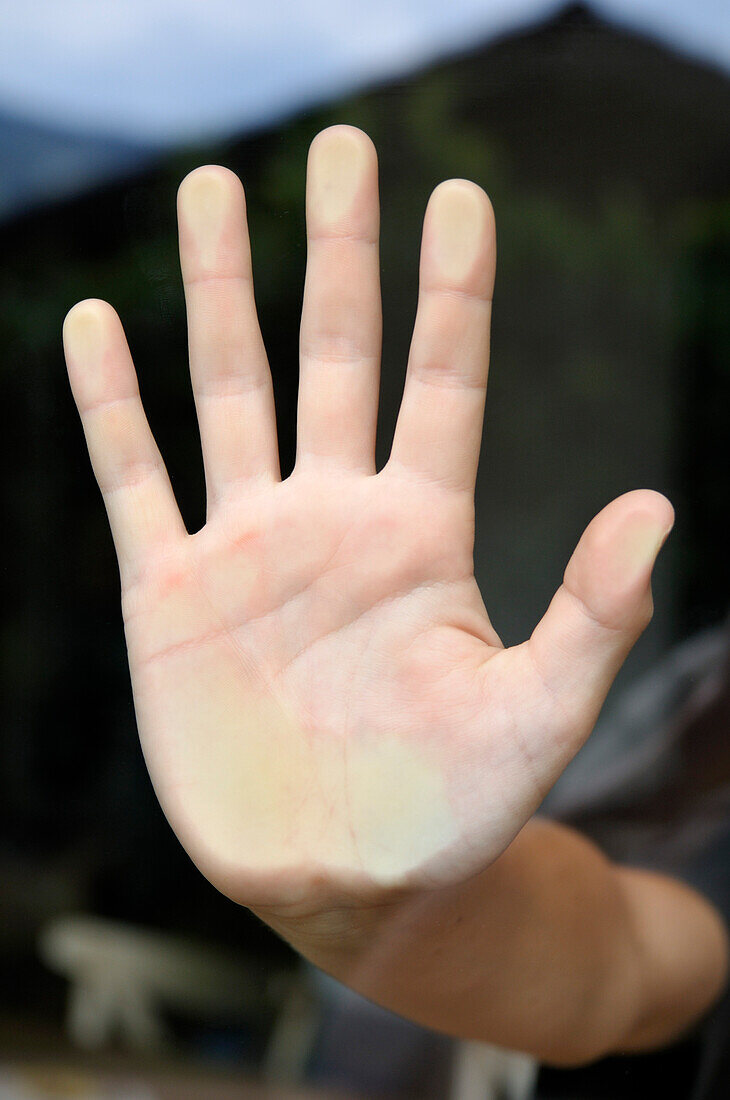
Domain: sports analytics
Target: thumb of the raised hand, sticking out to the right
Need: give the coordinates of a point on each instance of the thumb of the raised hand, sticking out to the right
(602, 609)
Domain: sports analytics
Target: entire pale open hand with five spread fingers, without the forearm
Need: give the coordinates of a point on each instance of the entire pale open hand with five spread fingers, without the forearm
(325, 708)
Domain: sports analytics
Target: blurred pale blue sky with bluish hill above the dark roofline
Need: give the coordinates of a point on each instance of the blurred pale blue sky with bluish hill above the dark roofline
(93, 89)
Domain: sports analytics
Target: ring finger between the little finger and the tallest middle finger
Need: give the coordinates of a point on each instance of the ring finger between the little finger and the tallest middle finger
(231, 380)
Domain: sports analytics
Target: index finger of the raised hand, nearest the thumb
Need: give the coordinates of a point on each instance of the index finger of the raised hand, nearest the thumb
(439, 430)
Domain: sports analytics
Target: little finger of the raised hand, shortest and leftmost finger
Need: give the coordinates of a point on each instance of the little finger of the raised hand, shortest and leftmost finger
(125, 457)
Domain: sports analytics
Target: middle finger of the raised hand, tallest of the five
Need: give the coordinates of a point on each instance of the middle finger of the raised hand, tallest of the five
(341, 321)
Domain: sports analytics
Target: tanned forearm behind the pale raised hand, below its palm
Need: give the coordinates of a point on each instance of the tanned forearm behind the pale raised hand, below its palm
(552, 950)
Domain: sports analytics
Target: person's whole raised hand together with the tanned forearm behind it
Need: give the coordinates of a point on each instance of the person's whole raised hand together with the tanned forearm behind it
(333, 727)
